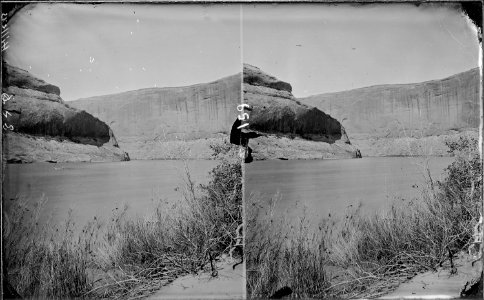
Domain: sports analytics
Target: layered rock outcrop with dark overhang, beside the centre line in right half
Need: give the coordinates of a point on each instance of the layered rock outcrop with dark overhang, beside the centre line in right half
(290, 129)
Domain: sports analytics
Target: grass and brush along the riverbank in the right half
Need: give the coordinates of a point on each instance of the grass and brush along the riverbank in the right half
(363, 255)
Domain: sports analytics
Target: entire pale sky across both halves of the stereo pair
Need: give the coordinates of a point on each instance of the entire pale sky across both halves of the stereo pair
(89, 50)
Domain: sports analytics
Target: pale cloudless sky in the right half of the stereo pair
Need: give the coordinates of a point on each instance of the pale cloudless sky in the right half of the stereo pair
(329, 48)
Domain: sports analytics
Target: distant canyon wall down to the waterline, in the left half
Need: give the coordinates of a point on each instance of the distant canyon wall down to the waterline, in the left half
(167, 123)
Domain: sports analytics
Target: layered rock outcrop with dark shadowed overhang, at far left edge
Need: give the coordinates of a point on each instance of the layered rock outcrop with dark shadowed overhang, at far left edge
(38, 115)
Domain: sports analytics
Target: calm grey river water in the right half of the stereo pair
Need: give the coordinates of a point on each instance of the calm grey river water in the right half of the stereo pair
(328, 187)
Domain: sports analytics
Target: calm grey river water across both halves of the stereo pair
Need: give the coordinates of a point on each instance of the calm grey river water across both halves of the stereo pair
(322, 187)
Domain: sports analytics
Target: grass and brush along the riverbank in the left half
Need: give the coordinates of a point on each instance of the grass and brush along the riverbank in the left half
(125, 258)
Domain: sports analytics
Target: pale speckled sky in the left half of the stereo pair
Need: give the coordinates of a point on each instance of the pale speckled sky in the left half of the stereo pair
(90, 50)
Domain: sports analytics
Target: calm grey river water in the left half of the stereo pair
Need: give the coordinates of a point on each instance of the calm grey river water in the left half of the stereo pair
(99, 189)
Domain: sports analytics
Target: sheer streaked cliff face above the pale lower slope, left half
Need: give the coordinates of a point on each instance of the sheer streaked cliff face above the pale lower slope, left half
(191, 112)
